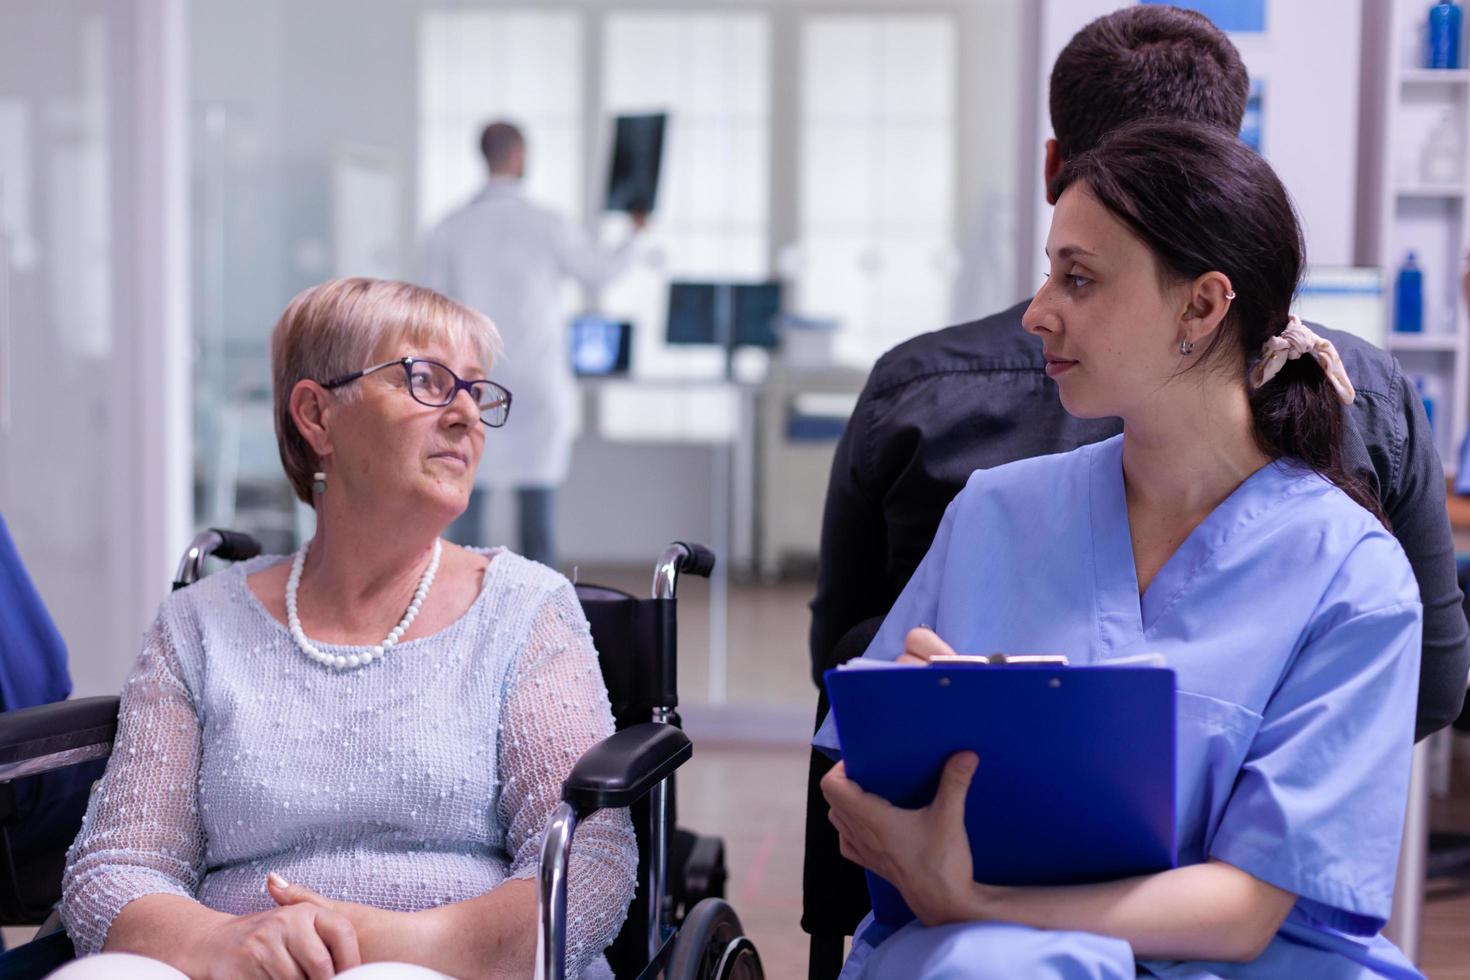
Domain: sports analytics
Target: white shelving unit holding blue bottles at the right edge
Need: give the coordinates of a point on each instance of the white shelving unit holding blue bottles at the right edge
(1403, 212)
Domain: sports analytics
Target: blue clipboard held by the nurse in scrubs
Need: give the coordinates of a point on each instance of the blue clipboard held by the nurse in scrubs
(1077, 778)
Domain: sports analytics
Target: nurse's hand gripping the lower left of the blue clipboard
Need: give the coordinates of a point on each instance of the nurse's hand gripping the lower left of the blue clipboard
(924, 853)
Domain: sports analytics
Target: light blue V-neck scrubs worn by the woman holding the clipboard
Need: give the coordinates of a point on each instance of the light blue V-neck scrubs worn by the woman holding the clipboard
(1293, 624)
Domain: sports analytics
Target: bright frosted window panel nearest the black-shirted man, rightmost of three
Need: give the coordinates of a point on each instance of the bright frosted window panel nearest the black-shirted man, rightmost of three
(878, 124)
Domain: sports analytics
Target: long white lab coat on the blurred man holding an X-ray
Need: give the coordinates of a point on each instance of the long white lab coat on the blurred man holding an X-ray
(506, 258)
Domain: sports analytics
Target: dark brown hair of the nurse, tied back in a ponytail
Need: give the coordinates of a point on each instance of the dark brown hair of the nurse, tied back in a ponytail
(1203, 202)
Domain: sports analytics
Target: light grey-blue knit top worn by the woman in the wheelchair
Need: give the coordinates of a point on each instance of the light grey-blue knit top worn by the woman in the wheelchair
(421, 779)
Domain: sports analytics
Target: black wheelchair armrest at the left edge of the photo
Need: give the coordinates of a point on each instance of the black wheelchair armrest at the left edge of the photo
(52, 737)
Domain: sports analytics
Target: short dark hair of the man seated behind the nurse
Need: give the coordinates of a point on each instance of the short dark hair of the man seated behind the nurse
(1141, 62)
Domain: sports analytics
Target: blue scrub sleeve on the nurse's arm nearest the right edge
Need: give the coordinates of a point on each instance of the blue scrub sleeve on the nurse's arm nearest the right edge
(1318, 807)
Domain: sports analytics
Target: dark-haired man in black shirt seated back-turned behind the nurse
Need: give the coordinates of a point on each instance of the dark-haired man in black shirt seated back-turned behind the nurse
(977, 396)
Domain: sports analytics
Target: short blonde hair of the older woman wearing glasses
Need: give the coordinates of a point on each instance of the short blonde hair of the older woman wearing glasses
(336, 327)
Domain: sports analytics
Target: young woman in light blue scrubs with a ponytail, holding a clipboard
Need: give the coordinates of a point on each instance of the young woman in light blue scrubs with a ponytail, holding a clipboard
(1219, 531)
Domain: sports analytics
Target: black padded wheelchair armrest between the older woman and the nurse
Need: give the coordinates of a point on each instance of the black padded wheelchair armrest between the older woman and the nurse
(621, 769)
